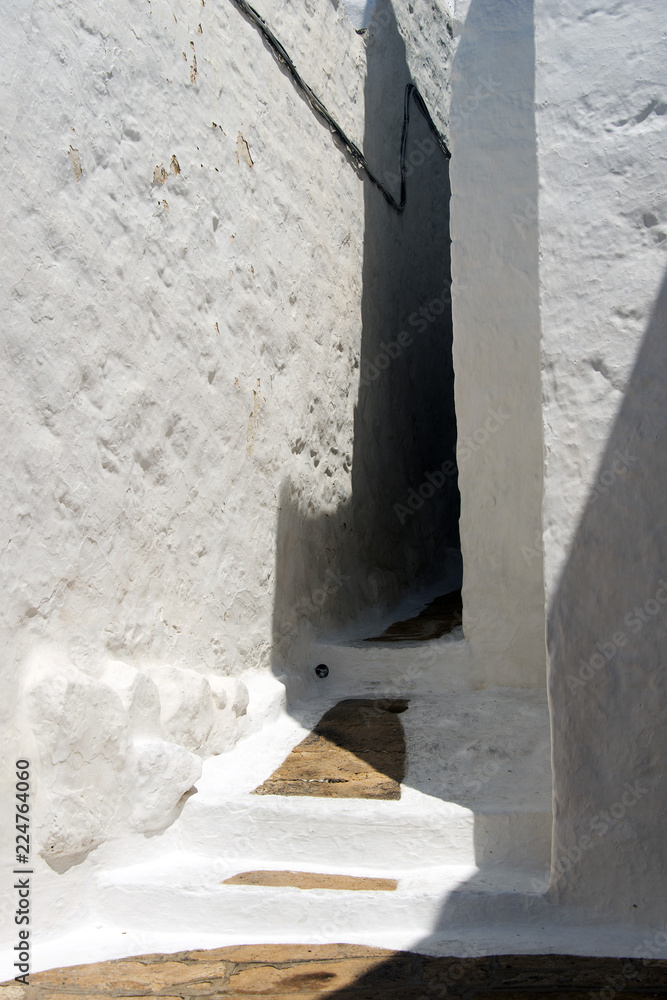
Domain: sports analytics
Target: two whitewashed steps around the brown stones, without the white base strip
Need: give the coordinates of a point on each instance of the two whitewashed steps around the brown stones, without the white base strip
(471, 833)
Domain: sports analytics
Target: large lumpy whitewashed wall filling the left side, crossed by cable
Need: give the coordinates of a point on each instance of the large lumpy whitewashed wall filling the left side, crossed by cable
(182, 305)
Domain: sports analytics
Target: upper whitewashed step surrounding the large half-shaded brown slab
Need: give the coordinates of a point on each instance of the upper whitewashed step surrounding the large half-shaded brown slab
(476, 791)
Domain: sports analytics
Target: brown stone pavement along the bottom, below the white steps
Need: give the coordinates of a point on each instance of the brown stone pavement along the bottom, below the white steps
(346, 972)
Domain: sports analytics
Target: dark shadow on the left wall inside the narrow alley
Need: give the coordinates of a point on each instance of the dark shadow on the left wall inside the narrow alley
(385, 541)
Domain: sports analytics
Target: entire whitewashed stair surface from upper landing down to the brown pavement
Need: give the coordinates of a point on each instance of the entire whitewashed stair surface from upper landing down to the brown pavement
(451, 899)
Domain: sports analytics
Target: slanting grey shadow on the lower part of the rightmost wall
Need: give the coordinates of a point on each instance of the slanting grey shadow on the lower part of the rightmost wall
(607, 643)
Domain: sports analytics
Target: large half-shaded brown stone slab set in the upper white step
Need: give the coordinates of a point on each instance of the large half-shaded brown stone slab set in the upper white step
(356, 750)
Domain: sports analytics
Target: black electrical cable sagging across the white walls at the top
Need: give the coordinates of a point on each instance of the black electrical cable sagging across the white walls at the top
(351, 148)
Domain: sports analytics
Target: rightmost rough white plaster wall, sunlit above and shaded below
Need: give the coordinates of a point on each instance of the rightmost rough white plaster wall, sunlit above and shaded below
(602, 117)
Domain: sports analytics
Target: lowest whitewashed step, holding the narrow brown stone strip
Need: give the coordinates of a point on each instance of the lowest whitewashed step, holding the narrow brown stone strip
(149, 895)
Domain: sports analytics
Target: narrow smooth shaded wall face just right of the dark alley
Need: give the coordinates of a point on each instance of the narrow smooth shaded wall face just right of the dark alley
(497, 337)
